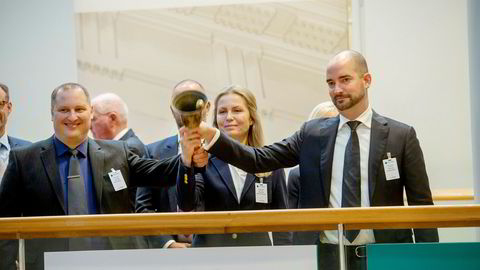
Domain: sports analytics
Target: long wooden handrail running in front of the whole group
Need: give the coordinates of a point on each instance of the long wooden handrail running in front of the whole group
(240, 221)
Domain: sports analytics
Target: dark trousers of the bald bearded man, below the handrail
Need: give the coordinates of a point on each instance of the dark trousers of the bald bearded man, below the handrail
(328, 257)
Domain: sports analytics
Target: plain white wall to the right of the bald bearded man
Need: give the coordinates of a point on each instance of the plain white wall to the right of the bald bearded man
(417, 52)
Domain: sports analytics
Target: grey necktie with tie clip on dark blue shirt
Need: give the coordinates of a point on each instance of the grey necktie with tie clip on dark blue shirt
(77, 204)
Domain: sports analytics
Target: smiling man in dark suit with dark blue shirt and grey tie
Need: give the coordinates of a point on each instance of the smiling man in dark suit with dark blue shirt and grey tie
(69, 173)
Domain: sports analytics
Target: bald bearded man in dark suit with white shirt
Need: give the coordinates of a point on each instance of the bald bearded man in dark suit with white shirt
(388, 158)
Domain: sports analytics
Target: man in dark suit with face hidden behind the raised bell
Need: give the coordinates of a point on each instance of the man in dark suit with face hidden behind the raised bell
(164, 199)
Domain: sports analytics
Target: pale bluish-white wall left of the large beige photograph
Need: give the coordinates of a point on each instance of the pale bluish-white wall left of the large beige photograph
(37, 53)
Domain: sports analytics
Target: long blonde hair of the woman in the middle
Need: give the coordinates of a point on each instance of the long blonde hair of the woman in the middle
(255, 132)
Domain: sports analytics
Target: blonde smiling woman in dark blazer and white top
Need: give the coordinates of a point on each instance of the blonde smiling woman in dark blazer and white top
(223, 187)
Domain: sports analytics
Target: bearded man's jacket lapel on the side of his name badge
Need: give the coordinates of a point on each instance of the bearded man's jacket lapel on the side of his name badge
(378, 142)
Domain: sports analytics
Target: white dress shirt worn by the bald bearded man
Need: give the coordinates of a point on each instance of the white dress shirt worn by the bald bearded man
(335, 200)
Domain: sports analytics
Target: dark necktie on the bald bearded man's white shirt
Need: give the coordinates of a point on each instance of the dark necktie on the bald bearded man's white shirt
(351, 196)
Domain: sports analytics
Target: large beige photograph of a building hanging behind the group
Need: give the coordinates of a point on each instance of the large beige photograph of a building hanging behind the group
(278, 50)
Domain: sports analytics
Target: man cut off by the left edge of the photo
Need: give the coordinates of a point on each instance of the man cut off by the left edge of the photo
(7, 143)
